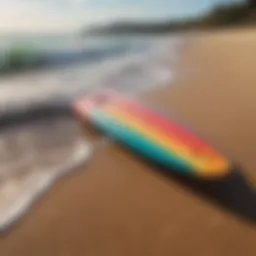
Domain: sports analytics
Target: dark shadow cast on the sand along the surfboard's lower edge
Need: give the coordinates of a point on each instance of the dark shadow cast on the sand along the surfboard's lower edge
(234, 192)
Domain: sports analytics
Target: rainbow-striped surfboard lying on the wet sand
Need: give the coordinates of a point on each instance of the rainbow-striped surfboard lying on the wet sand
(151, 134)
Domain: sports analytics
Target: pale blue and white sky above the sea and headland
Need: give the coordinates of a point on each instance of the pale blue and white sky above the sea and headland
(70, 15)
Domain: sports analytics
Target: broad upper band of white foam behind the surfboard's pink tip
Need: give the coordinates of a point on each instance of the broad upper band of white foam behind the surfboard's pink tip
(135, 71)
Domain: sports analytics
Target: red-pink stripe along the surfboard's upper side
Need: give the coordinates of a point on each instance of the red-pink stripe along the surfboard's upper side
(169, 128)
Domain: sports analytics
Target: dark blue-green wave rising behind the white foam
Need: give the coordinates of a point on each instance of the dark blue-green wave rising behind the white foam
(20, 58)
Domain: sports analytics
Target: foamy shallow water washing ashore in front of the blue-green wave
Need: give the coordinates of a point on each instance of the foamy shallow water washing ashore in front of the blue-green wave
(35, 116)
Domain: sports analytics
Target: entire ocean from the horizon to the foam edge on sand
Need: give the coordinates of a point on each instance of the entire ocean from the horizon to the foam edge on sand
(40, 141)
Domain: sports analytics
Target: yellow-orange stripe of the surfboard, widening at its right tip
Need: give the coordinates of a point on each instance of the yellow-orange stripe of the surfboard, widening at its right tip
(166, 142)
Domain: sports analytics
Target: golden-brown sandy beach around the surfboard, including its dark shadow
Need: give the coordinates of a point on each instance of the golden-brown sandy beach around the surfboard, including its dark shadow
(119, 205)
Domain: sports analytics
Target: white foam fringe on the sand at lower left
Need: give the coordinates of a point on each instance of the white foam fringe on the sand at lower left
(17, 194)
